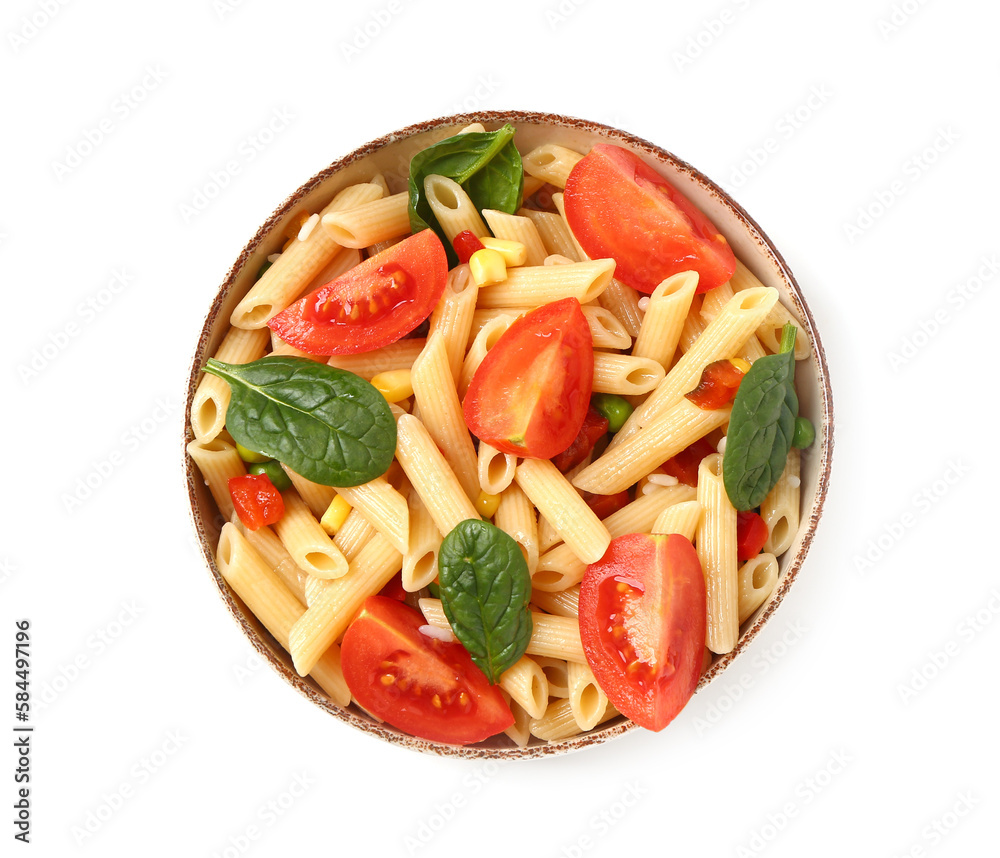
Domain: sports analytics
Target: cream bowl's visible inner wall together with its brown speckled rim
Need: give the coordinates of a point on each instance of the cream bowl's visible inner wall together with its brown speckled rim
(391, 155)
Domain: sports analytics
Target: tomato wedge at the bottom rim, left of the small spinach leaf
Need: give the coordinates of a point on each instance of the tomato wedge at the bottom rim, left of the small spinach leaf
(423, 686)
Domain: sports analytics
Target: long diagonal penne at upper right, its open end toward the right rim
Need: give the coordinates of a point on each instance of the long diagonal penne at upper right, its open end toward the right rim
(722, 338)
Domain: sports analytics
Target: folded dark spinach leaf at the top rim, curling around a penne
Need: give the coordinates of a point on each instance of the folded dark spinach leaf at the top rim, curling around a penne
(485, 163)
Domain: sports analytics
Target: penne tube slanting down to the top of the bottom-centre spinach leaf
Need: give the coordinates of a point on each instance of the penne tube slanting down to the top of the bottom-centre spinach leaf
(431, 476)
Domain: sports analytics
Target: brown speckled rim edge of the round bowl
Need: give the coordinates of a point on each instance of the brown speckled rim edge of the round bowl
(260, 638)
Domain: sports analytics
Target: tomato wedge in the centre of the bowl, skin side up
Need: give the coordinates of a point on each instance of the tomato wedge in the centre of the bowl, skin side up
(531, 393)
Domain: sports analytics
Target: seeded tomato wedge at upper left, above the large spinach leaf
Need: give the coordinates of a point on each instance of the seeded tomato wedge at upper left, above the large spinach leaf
(374, 304)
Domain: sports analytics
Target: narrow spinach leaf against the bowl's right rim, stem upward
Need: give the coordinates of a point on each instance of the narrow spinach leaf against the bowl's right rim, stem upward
(761, 426)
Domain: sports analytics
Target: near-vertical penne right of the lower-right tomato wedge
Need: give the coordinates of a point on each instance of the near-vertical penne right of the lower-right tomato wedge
(715, 542)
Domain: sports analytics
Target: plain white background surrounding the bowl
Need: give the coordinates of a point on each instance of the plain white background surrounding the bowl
(861, 720)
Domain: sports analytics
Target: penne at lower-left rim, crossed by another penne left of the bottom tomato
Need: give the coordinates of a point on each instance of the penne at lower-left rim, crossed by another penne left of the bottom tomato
(274, 605)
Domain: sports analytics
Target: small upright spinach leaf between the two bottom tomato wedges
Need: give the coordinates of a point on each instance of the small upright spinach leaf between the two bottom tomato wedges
(485, 591)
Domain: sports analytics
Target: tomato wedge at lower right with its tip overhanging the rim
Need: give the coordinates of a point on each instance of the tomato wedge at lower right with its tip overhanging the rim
(642, 621)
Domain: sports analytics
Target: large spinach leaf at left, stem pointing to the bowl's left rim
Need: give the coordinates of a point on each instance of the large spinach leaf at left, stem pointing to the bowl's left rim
(327, 424)
